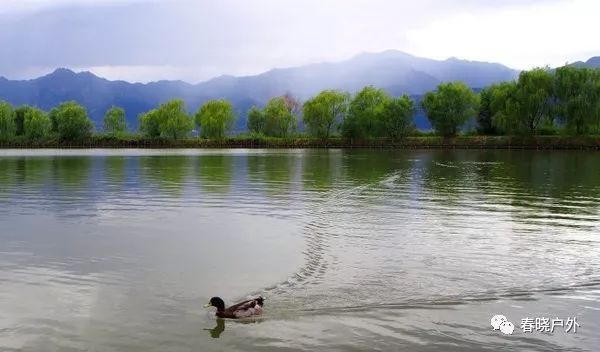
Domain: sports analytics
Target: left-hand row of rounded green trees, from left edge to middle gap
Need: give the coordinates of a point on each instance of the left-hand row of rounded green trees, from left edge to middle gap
(70, 121)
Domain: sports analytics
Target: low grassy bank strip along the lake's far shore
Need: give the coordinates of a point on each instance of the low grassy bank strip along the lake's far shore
(461, 142)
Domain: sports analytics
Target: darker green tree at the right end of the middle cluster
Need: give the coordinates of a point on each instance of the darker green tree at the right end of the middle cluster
(397, 117)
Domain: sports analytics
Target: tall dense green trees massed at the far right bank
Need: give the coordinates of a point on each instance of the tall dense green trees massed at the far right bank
(542, 98)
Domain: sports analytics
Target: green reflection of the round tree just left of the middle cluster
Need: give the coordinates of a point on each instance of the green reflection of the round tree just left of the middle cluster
(215, 172)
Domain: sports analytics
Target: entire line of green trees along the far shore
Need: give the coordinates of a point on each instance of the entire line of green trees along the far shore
(541, 101)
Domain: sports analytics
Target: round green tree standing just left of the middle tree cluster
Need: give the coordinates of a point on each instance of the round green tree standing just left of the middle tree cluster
(215, 118)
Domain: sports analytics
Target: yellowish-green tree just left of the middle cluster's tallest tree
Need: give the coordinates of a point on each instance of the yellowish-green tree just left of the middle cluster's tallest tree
(324, 113)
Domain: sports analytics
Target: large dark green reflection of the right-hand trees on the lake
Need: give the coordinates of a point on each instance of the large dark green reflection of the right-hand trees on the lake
(532, 181)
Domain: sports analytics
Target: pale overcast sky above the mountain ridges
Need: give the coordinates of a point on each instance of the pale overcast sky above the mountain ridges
(145, 40)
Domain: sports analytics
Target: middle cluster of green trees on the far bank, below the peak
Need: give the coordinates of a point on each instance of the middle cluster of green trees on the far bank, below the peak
(371, 113)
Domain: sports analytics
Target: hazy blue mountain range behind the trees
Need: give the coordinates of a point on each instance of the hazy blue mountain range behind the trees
(395, 71)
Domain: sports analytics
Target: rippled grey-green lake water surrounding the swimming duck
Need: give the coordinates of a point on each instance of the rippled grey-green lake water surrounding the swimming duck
(354, 250)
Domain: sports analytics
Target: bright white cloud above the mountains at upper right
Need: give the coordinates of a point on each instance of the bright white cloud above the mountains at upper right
(550, 34)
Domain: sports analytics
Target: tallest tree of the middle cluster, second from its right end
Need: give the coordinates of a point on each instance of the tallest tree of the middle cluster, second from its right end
(363, 120)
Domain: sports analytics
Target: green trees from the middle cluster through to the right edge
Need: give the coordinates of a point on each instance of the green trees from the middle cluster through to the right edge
(567, 97)
